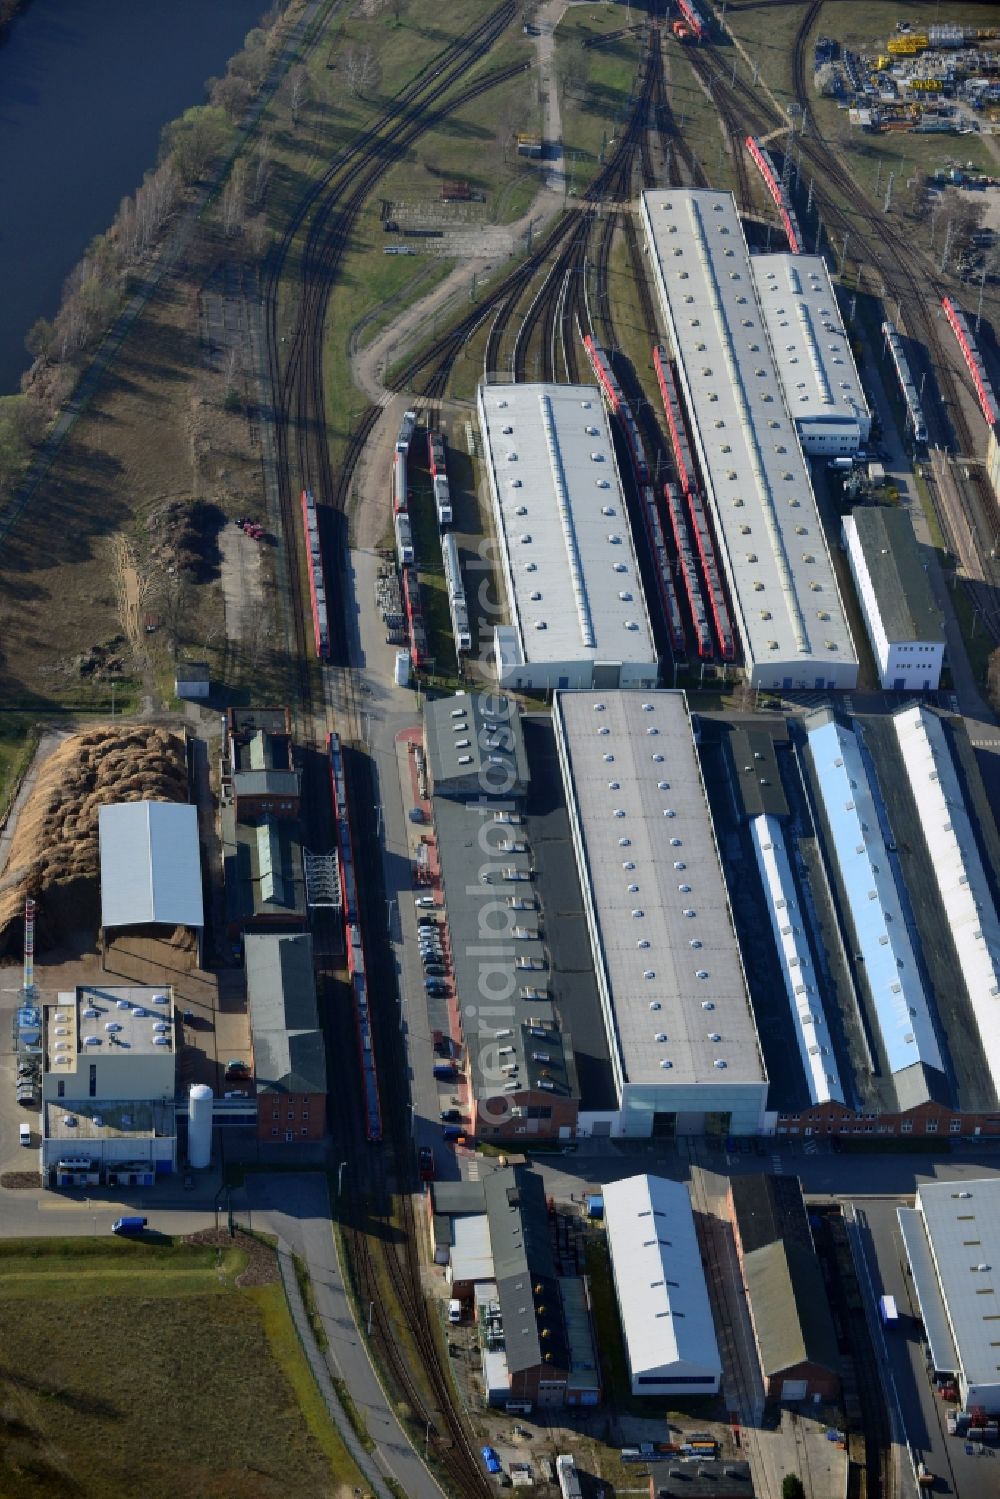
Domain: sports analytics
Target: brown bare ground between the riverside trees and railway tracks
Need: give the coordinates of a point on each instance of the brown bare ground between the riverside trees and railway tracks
(158, 435)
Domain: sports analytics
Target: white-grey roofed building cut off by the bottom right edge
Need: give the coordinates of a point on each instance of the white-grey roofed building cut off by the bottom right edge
(953, 1243)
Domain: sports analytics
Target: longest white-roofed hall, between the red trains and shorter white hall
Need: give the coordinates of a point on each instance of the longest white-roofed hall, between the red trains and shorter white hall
(777, 564)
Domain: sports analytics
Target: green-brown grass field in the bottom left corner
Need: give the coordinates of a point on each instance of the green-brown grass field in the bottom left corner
(145, 1369)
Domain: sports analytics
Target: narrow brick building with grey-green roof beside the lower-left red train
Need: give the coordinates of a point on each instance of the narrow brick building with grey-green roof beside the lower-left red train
(290, 1061)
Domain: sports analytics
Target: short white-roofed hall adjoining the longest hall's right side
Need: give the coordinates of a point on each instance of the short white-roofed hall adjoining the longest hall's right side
(812, 352)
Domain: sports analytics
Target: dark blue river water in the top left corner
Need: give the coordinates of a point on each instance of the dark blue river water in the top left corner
(86, 88)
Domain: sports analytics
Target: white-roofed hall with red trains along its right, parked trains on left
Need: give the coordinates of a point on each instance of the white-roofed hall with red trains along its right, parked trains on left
(578, 615)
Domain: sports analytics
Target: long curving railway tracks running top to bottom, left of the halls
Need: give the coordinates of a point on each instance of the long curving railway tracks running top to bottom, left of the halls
(305, 462)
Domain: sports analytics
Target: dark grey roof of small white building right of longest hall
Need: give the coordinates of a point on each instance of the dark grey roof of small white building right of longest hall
(893, 558)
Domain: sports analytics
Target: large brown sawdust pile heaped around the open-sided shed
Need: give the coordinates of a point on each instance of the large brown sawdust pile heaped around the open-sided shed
(56, 855)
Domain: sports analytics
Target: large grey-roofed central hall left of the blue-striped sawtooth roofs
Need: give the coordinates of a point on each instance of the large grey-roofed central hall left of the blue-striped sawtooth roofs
(677, 1011)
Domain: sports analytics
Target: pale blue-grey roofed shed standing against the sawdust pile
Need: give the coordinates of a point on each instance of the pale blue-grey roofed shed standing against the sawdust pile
(151, 867)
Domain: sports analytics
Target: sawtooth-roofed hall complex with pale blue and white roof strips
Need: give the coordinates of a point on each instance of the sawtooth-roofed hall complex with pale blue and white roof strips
(899, 854)
